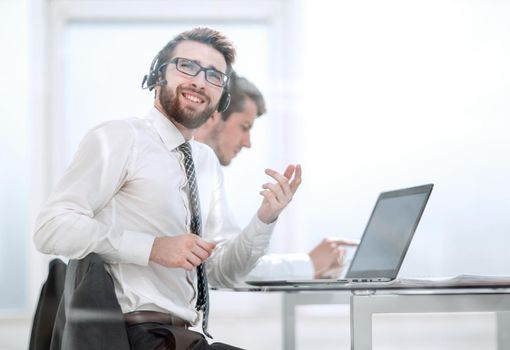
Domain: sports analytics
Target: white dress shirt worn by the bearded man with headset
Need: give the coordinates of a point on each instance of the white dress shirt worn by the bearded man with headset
(126, 186)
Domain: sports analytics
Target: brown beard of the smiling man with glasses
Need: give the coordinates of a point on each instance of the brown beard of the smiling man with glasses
(185, 116)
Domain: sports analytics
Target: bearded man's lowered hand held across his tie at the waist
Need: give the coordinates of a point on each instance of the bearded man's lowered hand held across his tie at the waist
(186, 251)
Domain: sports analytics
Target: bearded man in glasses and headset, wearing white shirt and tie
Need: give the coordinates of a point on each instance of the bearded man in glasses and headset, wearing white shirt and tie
(129, 195)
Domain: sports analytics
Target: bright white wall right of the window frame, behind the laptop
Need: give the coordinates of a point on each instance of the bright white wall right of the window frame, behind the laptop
(401, 93)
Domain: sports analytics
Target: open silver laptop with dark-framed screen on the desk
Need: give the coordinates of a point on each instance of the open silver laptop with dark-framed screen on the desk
(385, 241)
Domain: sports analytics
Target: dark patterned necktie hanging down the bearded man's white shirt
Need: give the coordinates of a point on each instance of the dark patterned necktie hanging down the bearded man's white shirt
(196, 228)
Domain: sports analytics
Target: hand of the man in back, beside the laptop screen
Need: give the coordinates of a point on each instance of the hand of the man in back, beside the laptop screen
(328, 257)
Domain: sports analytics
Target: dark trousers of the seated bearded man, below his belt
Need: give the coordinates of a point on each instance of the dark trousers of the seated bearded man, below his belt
(155, 336)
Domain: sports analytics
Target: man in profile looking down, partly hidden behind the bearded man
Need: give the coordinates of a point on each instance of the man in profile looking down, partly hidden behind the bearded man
(227, 133)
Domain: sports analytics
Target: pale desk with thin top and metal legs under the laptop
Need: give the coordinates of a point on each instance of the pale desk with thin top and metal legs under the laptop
(364, 303)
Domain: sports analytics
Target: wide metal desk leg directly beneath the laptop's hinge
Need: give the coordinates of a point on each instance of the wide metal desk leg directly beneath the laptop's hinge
(361, 324)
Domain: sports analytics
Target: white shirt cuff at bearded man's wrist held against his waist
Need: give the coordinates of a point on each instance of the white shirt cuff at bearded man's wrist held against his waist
(136, 247)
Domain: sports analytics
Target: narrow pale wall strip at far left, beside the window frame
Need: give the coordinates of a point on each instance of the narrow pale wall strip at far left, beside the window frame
(14, 155)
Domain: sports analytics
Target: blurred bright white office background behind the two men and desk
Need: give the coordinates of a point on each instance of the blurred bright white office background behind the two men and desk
(367, 95)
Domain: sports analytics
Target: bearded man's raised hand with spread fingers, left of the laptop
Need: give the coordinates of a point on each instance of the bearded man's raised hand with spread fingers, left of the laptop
(279, 194)
